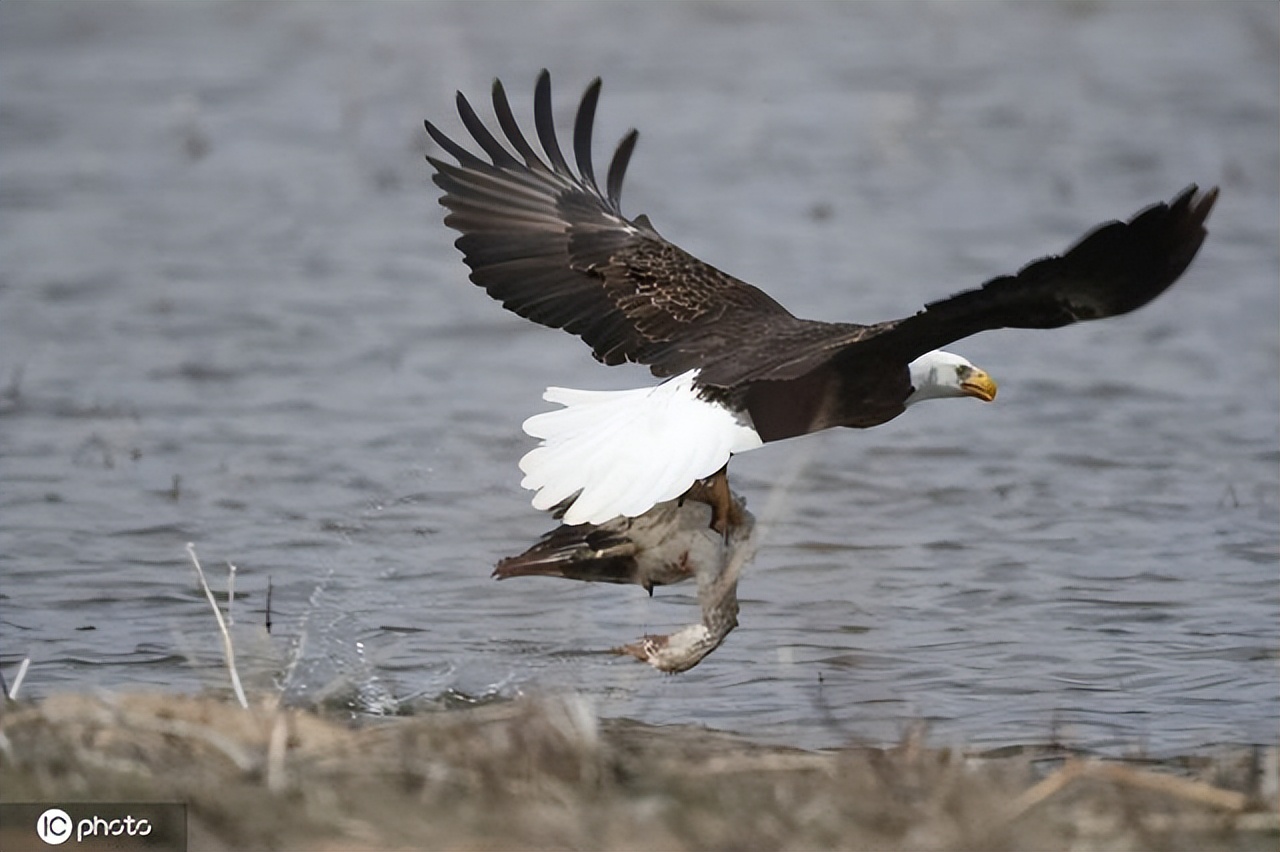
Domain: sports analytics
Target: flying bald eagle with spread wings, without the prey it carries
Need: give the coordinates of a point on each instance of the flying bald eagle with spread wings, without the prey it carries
(555, 248)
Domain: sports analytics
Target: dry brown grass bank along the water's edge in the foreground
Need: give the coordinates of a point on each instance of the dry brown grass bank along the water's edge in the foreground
(546, 773)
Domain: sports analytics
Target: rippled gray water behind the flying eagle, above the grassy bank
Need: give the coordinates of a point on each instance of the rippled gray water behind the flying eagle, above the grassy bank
(231, 315)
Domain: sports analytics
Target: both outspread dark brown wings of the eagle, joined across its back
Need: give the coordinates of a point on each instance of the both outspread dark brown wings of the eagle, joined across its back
(554, 249)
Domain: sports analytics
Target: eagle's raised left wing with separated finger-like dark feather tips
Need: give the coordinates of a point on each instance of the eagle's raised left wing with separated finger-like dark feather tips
(555, 249)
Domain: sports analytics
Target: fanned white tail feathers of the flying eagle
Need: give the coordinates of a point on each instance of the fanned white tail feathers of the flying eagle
(625, 451)
